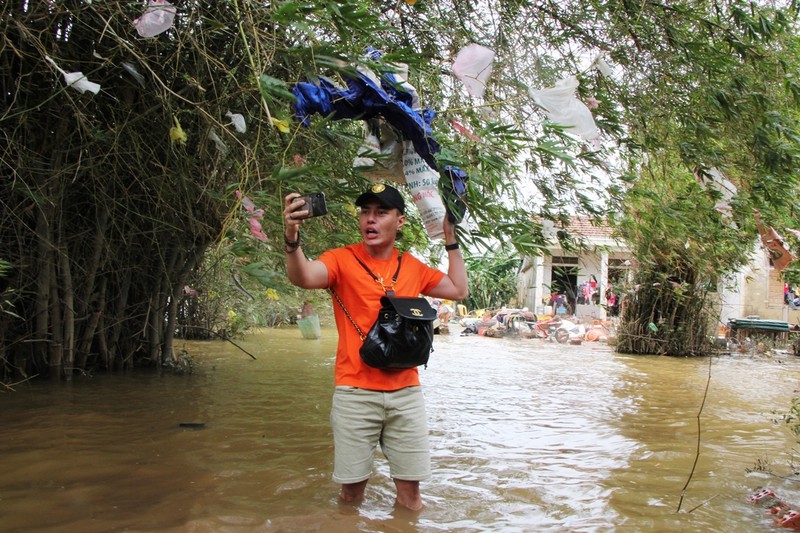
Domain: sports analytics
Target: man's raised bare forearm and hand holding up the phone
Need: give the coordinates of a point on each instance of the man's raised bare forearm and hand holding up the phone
(303, 273)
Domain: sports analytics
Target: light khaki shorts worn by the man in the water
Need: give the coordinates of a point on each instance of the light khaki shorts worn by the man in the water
(362, 419)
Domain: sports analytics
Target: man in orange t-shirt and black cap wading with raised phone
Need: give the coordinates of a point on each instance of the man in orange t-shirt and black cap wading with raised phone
(373, 406)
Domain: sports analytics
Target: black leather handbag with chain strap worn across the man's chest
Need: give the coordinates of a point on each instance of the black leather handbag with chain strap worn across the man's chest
(402, 335)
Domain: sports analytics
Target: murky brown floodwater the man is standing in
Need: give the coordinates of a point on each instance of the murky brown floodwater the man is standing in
(527, 435)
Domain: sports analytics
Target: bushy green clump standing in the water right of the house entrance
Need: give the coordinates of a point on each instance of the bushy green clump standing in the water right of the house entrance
(683, 246)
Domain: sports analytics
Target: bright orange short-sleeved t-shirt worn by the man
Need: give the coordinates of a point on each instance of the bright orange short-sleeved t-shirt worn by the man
(361, 295)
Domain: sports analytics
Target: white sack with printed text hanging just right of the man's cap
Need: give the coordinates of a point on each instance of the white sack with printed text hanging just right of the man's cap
(423, 183)
